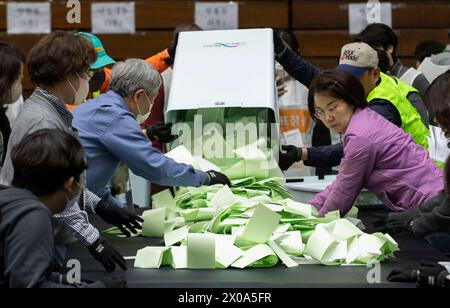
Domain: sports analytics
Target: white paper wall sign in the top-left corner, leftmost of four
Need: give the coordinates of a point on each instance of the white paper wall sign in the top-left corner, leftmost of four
(30, 17)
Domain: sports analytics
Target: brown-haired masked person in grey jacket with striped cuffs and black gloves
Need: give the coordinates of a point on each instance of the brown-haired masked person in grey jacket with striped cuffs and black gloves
(58, 64)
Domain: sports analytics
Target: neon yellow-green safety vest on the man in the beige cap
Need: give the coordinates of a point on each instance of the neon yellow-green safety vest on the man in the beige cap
(396, 91)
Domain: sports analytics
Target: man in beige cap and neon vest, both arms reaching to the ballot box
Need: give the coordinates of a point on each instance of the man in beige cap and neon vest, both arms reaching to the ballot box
(386, 95)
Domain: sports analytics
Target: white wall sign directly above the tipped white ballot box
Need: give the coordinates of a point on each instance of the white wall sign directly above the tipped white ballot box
(217, 15)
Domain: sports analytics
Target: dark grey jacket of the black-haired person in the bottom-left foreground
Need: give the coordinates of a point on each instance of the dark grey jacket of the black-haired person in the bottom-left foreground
(26, 242)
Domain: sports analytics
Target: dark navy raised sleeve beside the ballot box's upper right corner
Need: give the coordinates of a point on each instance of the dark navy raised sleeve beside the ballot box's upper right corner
(303, 71)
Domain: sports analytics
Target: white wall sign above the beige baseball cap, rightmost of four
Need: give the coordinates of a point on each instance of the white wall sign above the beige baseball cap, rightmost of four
(362, 14)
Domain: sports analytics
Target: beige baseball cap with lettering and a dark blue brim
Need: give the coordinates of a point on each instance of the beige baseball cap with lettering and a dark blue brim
(356, 58)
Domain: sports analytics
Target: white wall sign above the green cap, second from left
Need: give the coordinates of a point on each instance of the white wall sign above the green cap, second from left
(113, 17)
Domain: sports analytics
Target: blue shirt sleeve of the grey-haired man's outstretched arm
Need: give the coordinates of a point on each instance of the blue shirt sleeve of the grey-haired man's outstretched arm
(124, 139)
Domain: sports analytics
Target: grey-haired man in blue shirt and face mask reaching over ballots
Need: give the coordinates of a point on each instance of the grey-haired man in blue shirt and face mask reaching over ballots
(109, 131)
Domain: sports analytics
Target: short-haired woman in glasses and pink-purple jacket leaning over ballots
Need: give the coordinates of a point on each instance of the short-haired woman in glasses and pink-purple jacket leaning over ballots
(378, 155)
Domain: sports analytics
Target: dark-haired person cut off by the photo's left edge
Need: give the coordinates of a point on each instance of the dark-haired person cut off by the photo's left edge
(11, 75)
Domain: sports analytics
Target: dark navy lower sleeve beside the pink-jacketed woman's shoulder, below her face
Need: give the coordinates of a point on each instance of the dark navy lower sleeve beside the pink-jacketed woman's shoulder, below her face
(325, 156)
